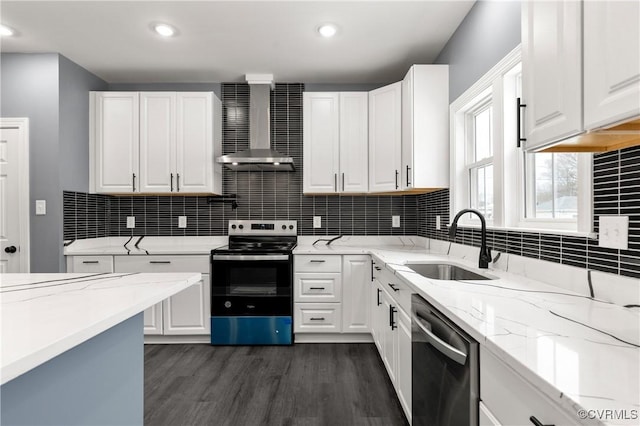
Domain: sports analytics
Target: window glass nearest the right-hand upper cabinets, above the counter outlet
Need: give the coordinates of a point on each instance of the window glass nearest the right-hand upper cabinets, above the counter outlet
(555, 185)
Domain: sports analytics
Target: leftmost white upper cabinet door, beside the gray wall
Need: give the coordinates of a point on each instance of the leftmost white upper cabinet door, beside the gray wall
(115, 146)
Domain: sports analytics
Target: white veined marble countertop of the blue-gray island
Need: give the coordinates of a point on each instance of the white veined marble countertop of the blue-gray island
(44, 315)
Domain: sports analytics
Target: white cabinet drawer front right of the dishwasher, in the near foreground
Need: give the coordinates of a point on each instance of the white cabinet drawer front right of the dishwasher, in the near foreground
(512, 399)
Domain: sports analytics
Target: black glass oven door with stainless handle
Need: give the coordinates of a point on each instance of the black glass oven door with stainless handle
(251, 285)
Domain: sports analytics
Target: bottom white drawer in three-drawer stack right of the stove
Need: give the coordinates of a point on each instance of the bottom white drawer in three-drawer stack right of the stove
(317, 318)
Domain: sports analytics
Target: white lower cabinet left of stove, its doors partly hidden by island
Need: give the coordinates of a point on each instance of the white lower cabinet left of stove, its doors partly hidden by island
(185, 313)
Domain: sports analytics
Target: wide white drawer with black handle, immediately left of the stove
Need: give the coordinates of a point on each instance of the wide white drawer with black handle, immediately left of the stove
(162, 264)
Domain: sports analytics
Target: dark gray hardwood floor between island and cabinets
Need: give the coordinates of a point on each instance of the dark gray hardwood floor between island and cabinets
(304, 384)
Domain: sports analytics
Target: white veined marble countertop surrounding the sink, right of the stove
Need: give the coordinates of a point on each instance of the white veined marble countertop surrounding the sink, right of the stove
(582, 353)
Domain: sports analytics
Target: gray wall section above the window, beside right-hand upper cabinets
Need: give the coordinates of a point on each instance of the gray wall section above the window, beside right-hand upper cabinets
(490, 30)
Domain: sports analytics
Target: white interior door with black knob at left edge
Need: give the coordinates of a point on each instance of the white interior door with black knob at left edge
(14, 195)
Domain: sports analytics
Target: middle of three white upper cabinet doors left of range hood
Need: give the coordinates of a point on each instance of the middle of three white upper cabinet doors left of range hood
(157, 141)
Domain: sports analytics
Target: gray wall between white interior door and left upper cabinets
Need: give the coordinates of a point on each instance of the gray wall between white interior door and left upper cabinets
(32, 85)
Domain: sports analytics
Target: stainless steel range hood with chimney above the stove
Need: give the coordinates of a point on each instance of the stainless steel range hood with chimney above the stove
(259, 156)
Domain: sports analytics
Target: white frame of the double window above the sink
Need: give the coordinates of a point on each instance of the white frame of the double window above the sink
(508, 160)
